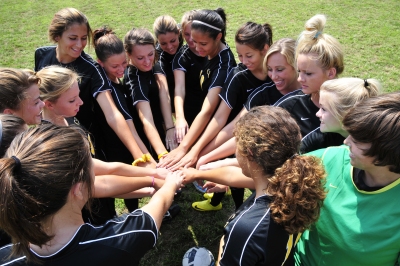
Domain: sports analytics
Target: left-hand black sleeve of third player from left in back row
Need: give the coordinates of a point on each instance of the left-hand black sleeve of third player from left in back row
(138, 88)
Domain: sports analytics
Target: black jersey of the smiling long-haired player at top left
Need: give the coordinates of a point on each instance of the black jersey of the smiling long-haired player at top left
(93, 81)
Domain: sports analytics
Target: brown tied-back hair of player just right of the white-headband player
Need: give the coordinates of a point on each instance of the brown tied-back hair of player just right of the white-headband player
(254, 35)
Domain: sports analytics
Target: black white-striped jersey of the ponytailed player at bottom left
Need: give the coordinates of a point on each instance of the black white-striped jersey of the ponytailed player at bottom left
(121, 241)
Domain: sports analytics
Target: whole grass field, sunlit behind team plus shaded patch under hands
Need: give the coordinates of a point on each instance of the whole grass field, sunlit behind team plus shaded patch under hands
(368, 30)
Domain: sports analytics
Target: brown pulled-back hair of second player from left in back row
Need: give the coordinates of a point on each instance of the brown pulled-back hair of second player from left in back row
(106, 43)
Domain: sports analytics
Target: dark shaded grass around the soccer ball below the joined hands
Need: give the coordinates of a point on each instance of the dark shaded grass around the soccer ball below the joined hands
(190, 228)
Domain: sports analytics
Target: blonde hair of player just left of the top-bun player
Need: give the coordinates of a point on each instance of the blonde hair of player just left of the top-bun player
(286, 48)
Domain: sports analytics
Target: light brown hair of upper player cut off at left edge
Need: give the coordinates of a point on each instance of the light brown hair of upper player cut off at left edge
(13, 85)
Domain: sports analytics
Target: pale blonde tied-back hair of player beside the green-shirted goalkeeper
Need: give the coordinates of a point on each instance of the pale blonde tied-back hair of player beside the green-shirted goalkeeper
(347, 92)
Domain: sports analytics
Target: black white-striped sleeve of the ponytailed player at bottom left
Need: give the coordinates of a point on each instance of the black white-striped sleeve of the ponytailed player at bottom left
(139, 232)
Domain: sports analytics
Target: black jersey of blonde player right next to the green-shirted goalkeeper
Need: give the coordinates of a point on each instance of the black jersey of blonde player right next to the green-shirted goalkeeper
(316, 140)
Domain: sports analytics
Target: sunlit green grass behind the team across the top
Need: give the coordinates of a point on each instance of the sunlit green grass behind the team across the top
(369, 30)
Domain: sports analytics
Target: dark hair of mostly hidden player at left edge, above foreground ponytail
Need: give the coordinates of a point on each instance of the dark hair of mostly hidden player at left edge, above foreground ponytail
(11, 126)
